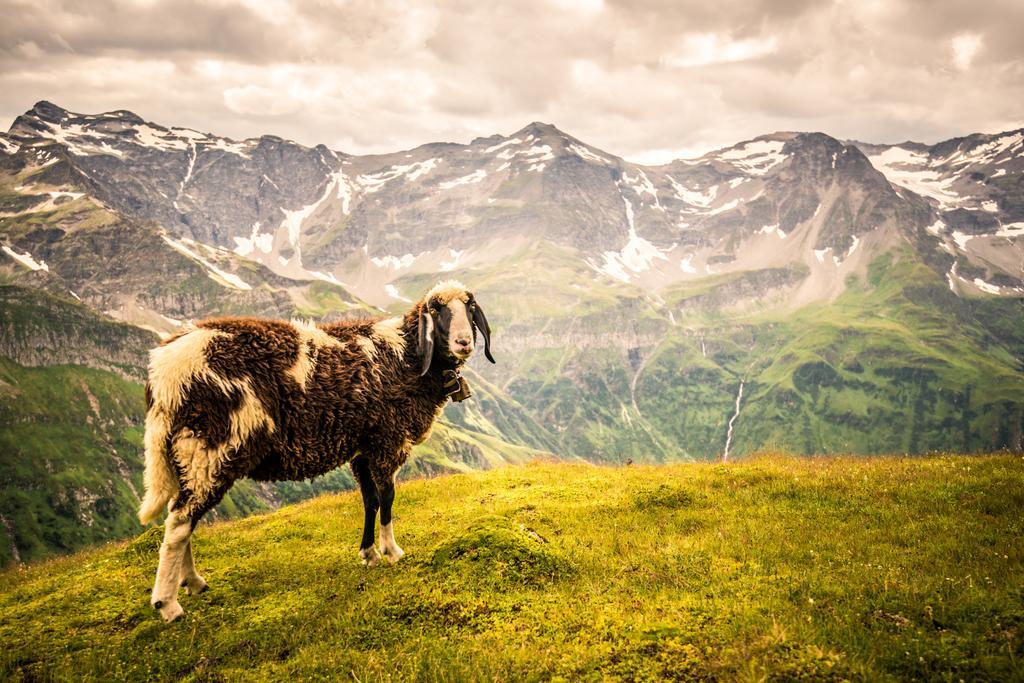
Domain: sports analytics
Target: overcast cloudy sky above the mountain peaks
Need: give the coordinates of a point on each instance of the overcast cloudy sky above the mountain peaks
(644, 79)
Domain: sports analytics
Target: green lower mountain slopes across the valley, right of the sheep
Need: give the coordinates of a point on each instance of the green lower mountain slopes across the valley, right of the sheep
(897, 362)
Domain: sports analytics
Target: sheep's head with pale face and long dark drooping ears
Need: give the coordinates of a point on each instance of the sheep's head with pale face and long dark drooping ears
(450, 319)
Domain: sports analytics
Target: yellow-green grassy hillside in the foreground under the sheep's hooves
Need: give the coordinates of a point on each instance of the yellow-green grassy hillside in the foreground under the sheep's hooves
(825, 569)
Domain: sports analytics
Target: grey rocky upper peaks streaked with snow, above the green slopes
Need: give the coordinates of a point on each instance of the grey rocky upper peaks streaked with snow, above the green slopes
(366, 223)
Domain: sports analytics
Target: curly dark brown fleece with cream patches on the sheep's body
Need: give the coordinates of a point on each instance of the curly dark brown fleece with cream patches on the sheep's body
(289, 401)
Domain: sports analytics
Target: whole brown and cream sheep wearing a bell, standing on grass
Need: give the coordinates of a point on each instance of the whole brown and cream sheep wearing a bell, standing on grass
(272, 401)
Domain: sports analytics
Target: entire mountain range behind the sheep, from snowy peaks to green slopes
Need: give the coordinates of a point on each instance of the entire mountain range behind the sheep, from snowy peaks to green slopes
(794, 291)
